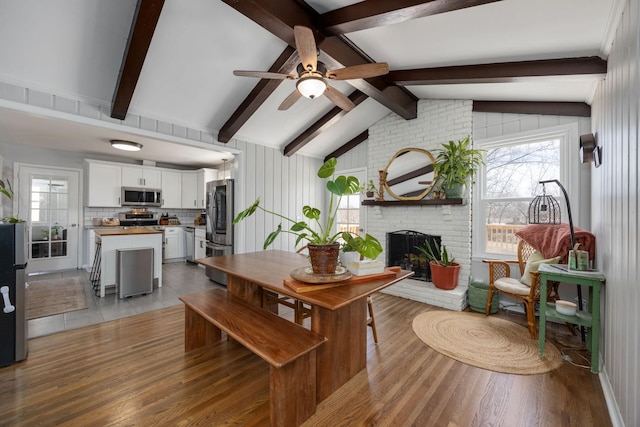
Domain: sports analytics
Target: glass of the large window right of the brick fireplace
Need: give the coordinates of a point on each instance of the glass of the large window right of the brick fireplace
(508, 183)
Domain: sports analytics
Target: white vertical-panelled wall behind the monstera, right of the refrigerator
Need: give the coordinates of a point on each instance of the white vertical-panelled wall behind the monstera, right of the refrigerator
(284, 185)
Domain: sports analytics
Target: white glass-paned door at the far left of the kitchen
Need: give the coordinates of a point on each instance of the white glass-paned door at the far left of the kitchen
(48, 198)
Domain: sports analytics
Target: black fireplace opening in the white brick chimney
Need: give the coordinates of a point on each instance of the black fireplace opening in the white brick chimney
(402, 252)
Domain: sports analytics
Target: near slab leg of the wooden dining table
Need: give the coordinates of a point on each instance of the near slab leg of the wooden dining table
(345, 352)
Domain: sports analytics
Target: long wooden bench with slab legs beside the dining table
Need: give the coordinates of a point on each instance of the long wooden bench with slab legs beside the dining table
(289, 349)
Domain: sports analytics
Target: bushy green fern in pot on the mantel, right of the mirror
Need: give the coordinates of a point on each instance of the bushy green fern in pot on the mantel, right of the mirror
(456, 163)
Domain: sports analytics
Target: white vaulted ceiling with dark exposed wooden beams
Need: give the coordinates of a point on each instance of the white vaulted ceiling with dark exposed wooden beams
(174, 60)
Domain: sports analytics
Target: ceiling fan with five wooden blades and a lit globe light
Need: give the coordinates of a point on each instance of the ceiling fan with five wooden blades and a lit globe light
(312, 74)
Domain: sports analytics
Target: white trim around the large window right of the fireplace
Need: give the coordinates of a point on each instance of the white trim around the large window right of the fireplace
(569, 171)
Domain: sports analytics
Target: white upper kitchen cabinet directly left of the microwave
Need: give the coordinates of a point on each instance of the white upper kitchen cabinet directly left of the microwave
(104, 187)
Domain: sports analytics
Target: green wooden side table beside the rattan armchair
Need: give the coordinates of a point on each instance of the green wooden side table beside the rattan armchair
(589, 319)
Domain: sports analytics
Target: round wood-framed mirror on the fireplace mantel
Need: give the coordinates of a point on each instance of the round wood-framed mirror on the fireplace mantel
(409, 174)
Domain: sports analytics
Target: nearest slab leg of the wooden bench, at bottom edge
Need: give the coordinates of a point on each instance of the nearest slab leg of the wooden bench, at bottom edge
(293, 391)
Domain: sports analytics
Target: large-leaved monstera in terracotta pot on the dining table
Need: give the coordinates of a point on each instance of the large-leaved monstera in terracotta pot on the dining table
(322, 243)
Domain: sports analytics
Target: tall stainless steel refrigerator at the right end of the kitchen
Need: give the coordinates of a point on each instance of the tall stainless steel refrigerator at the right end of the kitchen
(219, 224)
